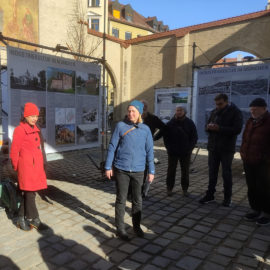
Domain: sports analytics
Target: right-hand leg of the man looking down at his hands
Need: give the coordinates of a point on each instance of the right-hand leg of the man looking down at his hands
(226, 163)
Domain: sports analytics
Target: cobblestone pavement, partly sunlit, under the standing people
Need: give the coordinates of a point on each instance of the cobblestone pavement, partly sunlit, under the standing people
(180, 233)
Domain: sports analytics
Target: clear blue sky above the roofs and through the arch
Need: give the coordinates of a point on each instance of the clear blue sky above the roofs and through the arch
(181, 13)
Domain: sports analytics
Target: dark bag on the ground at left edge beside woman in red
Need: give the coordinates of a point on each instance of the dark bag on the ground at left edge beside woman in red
(9, 197)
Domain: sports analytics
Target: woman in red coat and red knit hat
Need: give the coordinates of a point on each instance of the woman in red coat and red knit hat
(27, 159)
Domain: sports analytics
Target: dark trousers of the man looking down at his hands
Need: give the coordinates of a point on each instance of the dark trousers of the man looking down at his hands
(214, 161)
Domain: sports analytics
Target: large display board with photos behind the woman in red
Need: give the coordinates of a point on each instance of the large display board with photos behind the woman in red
(66, 91)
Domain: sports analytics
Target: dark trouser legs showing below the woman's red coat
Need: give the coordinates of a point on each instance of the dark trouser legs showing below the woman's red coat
(28, 206)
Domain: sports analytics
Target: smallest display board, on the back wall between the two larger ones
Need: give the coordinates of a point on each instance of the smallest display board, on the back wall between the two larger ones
(167, 99)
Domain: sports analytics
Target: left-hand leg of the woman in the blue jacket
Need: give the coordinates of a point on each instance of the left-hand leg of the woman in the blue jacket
(122, 183)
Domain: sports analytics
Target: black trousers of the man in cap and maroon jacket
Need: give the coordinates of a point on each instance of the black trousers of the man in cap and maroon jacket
(258, 183)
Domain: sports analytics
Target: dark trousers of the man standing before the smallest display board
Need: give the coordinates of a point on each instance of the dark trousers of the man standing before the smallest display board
(171, 171)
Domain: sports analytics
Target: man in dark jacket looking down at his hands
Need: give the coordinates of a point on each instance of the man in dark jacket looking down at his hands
(224, 124)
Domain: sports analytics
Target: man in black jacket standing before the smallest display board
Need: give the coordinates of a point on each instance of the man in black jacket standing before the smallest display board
(180, 137)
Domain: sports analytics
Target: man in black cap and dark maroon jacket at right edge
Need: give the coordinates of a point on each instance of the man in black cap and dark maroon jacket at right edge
(255, 153)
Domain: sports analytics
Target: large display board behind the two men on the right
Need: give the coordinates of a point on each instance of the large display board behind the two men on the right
(242, 84)
